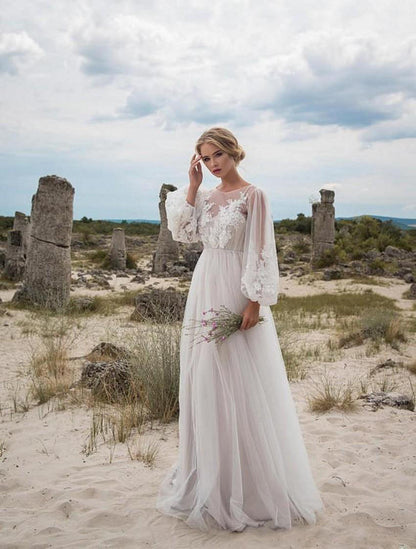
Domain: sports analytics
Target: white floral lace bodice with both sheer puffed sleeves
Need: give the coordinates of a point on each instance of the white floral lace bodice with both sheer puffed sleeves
(238, 220)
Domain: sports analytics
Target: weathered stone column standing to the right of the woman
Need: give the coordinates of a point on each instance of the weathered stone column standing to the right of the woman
(323, 225)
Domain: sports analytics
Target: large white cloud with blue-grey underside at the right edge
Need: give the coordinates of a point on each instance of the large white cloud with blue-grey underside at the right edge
(351, 82)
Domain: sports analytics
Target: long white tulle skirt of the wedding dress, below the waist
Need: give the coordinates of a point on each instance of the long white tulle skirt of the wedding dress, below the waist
(242, 459)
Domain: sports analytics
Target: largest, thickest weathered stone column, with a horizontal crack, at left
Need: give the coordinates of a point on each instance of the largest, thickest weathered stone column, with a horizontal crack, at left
(48, 265)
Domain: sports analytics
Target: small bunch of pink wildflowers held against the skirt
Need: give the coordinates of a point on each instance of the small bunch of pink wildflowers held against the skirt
(218, 325)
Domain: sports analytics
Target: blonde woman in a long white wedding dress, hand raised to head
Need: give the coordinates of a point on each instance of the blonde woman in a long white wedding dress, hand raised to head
(242, 460)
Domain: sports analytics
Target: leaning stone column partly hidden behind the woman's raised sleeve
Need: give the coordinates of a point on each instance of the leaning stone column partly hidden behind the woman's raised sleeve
(167, 248)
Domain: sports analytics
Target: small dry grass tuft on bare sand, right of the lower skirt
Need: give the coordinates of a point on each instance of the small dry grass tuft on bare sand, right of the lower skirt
(327, 394)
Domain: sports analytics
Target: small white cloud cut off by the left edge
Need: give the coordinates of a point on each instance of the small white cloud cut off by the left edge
(16, 51)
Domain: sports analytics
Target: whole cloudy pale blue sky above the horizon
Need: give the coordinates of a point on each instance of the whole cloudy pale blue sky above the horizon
(113, 96)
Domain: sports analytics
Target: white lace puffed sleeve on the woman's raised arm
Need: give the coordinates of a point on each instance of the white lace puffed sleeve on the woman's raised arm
(182, 217)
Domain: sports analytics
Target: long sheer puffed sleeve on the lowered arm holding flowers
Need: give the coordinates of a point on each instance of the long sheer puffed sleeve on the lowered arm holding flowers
(260, 273)
